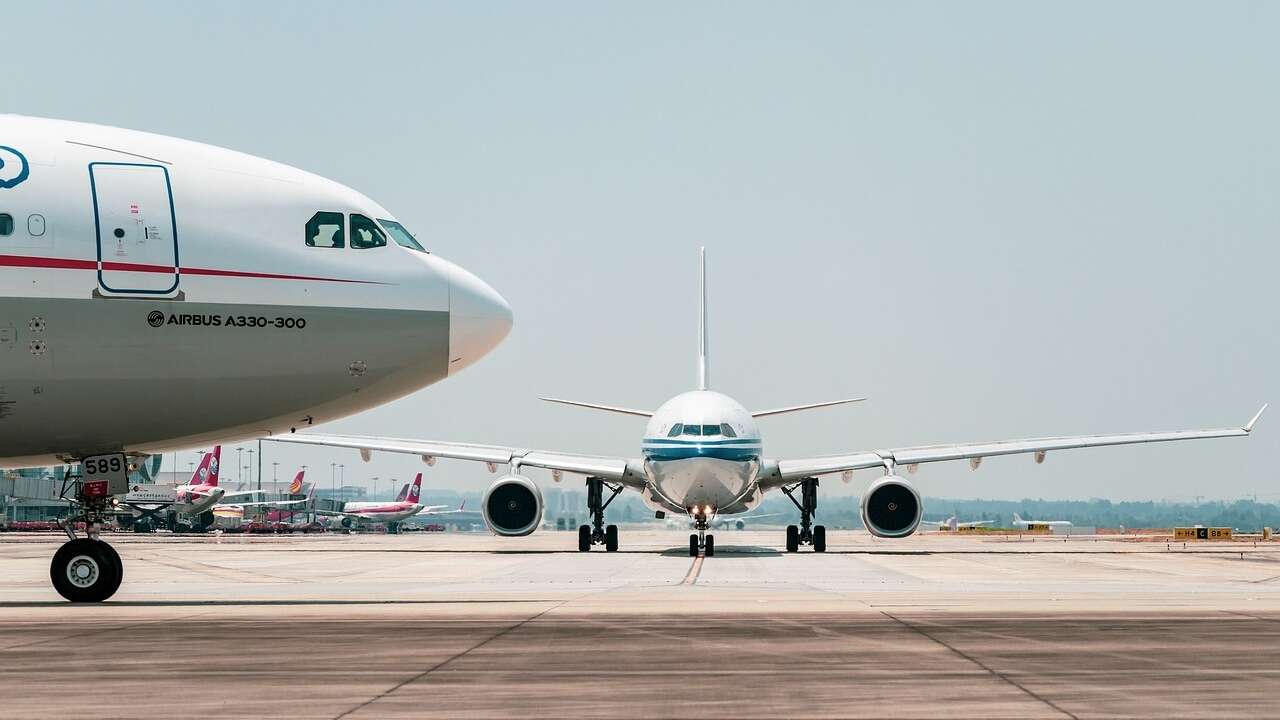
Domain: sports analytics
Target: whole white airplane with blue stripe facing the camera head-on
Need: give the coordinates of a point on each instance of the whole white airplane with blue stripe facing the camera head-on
(702, 457)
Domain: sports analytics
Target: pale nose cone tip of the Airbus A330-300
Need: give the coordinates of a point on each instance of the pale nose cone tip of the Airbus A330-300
(479, 320)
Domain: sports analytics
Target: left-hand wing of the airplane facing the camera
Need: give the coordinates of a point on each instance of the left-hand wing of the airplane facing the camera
(602, 467)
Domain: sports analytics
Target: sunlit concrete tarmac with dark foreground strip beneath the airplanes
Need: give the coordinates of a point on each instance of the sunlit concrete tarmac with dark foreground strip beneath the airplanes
(470, 626)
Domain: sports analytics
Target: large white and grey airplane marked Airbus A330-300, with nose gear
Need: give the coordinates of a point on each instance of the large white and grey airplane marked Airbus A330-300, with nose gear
(139, 266)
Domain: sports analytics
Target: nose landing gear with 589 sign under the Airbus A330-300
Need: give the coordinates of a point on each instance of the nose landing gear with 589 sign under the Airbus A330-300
(86, 569)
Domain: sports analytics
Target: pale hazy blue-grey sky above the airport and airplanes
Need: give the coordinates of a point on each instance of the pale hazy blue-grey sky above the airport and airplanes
(994, 220)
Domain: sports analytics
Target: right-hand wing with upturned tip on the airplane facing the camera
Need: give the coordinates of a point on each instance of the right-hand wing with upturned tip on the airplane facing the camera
(975, 453)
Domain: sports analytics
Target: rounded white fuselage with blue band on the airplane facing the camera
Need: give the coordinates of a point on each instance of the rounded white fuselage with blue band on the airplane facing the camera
(702, 455)
